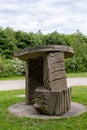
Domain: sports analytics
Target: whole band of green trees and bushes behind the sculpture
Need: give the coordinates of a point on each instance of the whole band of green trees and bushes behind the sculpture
(11, 41)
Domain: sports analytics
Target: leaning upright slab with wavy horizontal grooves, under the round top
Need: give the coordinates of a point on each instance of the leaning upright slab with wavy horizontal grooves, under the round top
(57, 76)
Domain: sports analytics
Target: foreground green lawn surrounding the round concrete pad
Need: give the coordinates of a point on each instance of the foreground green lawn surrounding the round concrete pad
(10, 122)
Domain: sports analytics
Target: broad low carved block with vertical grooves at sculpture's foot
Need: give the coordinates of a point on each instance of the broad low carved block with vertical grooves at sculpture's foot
(52, 103)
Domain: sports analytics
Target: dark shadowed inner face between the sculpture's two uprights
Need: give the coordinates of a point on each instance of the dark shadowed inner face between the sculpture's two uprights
(35, 76)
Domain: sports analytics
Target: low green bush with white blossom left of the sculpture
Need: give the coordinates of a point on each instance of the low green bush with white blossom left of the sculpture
(11, 67)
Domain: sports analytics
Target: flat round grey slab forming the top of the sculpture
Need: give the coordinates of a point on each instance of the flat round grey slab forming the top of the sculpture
(40, 51)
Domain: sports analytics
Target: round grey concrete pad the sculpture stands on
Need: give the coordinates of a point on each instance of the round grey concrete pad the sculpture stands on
(23, 110)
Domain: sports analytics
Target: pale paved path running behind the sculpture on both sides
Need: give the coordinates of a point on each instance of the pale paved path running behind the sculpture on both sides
(20, 84)
